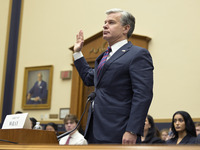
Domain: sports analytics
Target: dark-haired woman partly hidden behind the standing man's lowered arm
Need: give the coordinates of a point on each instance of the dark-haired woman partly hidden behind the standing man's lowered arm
(150, 135)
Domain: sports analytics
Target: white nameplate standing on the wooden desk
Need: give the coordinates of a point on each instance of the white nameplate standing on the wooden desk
(17, 121)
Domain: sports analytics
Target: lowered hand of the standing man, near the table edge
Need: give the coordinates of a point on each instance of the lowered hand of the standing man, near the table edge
(129, 138)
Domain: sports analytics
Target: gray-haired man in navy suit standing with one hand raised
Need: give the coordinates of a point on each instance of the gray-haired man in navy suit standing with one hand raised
(123, 80)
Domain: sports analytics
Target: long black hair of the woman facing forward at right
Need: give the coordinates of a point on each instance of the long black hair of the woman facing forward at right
(189, 124)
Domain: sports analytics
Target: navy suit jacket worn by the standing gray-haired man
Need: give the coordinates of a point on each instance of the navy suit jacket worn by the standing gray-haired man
(123, 92)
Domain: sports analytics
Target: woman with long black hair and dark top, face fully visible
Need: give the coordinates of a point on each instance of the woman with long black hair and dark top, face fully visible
(183, 129)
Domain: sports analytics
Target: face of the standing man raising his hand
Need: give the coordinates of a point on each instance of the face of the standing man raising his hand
(113, 31)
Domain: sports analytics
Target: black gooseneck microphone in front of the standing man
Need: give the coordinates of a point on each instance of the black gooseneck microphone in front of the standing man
(90, 98)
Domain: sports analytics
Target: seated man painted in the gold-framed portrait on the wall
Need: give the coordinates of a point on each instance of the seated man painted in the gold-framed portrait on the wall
(38, 93)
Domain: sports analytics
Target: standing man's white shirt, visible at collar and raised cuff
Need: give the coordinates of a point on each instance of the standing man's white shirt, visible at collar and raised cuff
(115, 47)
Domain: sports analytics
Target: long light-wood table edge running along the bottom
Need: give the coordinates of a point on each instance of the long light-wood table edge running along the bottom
(98, 147)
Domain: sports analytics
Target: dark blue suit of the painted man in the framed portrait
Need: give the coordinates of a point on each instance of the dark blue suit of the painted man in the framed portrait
(40, 91)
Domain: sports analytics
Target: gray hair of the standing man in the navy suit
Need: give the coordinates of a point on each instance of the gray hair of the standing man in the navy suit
(126, 19)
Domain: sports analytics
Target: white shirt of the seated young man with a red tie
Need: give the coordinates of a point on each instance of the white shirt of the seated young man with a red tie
(76, 139)
